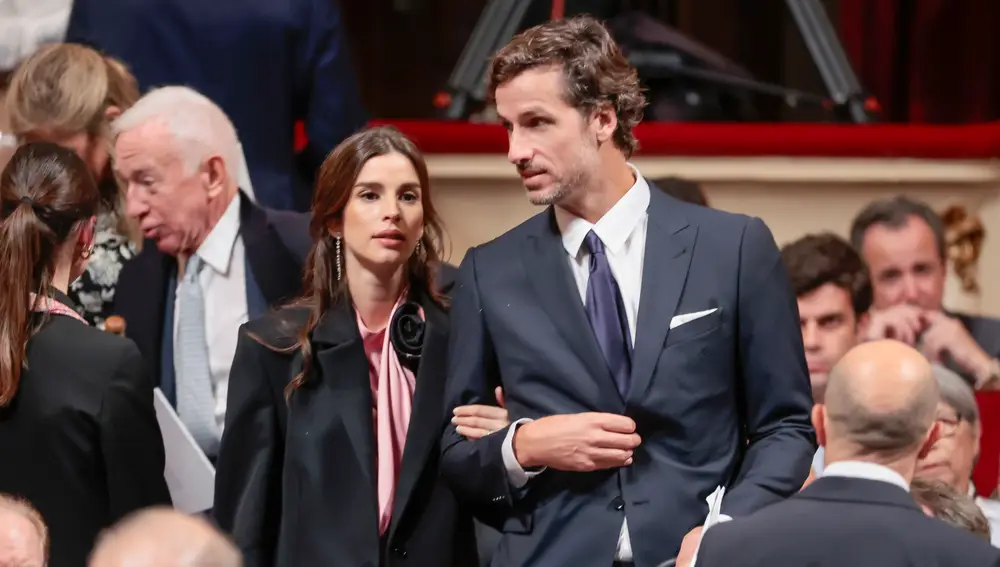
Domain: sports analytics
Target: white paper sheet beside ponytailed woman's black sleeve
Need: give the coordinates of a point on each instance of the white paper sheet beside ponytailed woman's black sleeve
(190, 475)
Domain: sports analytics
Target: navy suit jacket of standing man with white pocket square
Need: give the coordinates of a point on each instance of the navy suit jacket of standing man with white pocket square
(723, 399)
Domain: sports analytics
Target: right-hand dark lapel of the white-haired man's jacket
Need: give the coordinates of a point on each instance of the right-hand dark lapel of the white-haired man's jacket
(273, 268)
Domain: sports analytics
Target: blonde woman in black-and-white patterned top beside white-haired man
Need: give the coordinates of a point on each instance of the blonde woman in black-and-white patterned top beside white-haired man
(69, 94)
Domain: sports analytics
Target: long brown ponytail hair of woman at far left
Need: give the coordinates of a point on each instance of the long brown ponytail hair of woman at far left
(45, 193)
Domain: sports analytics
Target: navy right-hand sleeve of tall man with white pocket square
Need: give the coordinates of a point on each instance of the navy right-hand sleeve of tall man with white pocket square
(774, 389)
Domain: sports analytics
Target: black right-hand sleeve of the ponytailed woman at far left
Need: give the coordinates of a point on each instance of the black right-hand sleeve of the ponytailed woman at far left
(131, 443)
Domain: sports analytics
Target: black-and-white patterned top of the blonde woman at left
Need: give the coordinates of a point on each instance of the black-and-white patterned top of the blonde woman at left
(94, 292)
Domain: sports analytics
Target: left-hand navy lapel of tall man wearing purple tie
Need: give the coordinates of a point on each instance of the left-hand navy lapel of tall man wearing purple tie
(547, 268)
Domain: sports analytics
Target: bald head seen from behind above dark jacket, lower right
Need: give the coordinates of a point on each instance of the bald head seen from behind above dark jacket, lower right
(881, 401)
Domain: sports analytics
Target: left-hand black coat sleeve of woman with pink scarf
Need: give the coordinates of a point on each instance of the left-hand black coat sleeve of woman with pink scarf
(248, 469)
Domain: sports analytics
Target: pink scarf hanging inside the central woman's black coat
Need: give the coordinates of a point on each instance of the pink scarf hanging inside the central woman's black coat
(392, 392)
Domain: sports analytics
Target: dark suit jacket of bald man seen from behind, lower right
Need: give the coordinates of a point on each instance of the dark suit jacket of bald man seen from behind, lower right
(838, 521)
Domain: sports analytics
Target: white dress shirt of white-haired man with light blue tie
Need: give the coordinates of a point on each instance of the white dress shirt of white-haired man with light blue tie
(223, 281)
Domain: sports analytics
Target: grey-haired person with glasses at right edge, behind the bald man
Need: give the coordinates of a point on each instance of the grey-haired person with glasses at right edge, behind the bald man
(953, 456)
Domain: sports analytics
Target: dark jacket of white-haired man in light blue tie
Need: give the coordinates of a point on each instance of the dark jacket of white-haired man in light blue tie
(276, 244)
